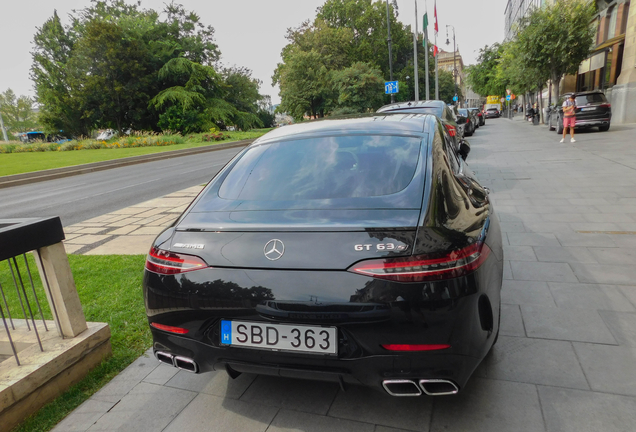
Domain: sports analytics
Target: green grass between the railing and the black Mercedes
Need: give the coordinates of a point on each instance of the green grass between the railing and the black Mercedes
(109, 288)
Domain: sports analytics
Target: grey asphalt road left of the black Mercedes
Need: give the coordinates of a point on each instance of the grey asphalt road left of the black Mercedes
(82, 197)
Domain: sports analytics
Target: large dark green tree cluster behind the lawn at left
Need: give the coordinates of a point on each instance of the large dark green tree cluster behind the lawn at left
(119, 66)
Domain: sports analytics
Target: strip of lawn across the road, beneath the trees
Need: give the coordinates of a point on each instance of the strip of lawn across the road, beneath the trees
(18, 163)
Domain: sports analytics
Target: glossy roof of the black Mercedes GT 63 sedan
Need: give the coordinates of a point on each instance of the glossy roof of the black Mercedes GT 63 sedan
(389, 123)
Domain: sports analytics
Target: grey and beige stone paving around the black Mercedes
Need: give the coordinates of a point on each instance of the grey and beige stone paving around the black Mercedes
(566, 357)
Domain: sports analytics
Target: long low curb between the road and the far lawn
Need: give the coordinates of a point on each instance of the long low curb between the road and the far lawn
(55, 173)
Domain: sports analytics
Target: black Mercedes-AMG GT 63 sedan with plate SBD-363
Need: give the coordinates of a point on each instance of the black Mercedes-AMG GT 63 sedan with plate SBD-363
(359, 251)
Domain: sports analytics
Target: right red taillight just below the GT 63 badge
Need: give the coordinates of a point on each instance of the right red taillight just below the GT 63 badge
(420, 268)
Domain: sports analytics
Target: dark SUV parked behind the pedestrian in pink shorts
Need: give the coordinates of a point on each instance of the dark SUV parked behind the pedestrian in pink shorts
(592, 110)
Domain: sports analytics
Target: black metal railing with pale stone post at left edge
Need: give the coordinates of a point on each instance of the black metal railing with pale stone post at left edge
(20, 304)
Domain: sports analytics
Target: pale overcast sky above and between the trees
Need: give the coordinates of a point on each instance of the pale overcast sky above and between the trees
(249, 33)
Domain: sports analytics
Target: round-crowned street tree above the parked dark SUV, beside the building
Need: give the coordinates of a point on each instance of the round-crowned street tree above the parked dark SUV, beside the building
(556, 38)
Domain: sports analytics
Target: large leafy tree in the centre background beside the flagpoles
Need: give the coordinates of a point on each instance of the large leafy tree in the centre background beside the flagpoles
(337, 62)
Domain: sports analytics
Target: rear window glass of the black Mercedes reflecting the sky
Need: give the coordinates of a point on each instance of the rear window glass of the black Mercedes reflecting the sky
(324, 168)
